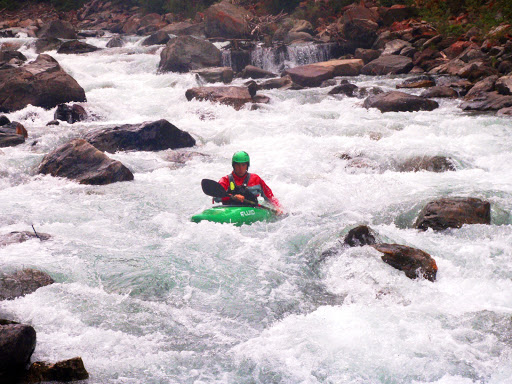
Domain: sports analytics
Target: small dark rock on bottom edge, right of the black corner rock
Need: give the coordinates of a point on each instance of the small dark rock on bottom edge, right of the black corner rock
(62, 371)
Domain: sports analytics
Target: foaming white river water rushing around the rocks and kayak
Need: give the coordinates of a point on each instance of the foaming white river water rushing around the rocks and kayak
(143, 295)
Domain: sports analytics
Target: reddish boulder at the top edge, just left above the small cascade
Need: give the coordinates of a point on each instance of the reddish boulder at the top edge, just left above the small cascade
(227, 20)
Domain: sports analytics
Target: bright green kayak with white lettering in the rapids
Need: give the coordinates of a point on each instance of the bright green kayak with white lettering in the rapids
(234, 215)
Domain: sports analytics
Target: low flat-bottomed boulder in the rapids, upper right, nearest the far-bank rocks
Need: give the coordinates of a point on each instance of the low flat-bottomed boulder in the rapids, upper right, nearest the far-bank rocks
(396, 101)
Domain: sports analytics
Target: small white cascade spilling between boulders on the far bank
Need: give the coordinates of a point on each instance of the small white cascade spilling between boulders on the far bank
(277, 59)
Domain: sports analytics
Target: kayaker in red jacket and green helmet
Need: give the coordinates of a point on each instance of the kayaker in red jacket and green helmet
(242, 185)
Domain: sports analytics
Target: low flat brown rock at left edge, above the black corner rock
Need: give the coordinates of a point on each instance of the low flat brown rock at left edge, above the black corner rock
(22, 283)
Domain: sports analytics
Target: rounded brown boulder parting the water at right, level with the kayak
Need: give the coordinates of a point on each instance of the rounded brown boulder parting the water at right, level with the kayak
(453, 213)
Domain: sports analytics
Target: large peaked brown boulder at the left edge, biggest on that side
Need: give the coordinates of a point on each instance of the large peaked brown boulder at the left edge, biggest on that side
(42, 83)
